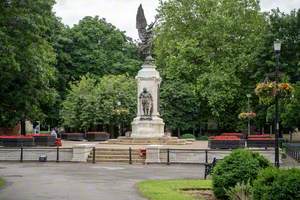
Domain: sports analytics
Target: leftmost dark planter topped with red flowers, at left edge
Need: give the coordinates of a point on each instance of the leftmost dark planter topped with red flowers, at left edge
(16, 141)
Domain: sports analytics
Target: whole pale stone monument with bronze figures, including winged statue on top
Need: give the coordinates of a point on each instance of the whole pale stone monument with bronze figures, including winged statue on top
(148, 123)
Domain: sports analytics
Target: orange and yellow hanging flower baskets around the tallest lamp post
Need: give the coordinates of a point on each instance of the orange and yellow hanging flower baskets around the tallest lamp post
(268, 90)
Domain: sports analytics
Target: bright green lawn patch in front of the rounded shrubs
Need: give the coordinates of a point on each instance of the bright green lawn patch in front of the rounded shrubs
(170, 189)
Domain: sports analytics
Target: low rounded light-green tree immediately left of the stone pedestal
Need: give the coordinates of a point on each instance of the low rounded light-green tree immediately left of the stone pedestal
(94, 103)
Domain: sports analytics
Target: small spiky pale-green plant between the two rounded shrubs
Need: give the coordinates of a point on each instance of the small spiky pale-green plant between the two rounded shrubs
(241, 191)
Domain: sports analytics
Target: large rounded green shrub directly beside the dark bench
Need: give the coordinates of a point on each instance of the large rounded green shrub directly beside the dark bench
(240, 166)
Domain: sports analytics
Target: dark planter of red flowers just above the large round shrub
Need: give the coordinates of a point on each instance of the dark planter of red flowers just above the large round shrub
(225, 142)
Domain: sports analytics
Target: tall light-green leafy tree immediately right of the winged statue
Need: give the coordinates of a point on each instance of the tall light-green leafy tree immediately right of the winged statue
(210, 45)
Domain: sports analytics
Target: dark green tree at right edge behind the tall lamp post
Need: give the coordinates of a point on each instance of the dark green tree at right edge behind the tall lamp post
(284, 27)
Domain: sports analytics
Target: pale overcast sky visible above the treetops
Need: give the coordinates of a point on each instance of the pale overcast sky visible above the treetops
(121, 13)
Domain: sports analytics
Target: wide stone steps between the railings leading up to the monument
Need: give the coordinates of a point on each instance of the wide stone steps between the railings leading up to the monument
(116, 155)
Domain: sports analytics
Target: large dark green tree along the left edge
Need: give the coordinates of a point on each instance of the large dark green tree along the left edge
(26, 60)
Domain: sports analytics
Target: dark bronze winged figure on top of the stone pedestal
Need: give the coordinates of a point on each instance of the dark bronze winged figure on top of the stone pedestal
(145, 33)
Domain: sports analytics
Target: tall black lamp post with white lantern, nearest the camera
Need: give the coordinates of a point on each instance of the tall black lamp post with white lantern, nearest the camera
(277, 48)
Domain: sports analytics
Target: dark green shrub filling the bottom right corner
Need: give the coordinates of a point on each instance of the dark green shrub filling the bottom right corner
(277, 184)
